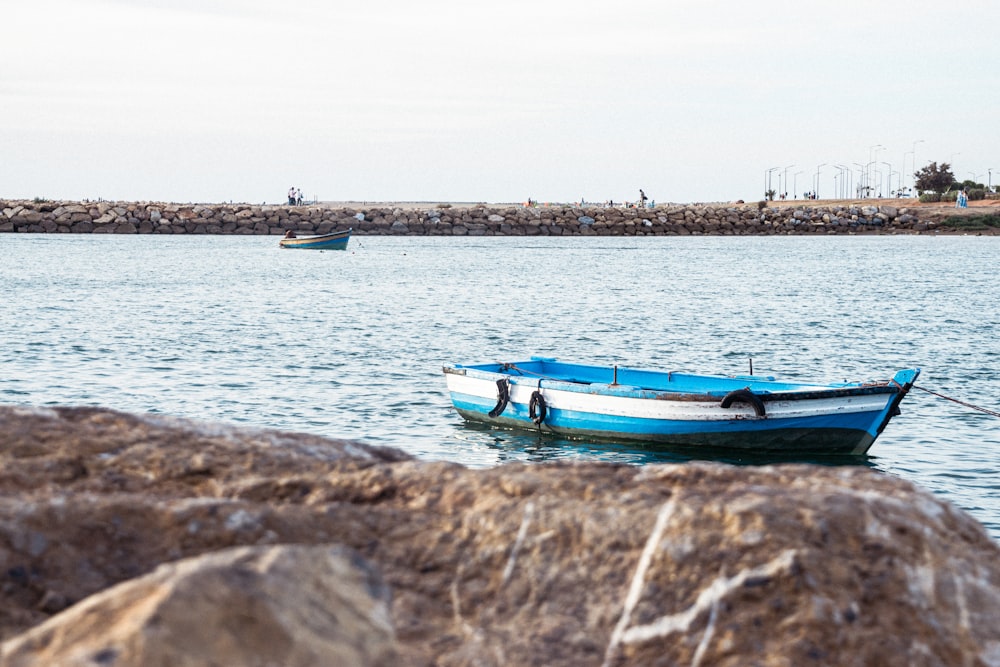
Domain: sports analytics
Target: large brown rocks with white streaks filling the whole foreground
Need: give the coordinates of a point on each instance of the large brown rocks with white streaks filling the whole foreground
(145, 540)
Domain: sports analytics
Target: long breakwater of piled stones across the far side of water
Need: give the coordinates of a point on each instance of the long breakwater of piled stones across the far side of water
(686, 220)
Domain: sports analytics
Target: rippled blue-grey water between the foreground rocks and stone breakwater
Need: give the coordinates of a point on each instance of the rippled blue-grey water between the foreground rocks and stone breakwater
(351, 344)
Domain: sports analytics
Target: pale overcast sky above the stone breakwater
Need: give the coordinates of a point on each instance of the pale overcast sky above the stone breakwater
(461, 100)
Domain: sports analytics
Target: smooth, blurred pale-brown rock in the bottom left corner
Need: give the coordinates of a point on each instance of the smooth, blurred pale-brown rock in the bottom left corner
(294, 606)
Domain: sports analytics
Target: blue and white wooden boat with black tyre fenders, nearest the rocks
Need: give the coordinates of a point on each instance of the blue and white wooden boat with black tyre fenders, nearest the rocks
(748, 412)
